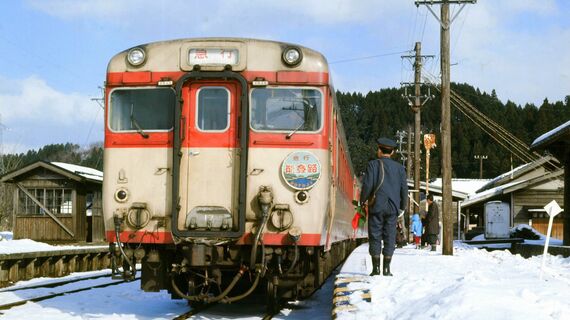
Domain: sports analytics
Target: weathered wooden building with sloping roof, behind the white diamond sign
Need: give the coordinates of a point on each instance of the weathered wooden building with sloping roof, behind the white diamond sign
(527, 189)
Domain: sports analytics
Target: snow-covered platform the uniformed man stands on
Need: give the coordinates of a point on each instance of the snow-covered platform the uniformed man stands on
(470, 284)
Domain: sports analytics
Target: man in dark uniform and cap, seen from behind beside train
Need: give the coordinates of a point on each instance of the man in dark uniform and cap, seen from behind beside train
(386, 179)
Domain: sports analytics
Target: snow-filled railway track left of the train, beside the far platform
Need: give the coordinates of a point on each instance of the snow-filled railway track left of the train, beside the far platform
(34, 293)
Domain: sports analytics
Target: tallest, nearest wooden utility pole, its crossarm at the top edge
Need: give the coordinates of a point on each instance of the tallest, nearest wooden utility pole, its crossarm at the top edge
(446, 167)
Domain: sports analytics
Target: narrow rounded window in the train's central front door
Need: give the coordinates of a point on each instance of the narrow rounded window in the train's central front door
(213, 109)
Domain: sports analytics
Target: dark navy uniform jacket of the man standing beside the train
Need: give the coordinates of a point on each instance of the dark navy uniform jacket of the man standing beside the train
(393, 194)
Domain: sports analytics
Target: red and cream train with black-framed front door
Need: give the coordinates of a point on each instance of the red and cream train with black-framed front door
(225, 157)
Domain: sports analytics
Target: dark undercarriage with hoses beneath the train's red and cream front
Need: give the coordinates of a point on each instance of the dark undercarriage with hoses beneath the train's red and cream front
(204, 273)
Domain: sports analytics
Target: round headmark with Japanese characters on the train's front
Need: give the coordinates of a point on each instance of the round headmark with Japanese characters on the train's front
(301, 170)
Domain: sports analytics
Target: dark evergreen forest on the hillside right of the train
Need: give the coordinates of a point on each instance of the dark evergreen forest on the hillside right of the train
(383, 113)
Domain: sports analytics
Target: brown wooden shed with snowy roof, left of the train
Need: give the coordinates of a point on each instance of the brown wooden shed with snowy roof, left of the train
(57, 202)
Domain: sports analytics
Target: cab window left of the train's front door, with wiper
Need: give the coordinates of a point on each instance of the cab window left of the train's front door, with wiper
(142, 109)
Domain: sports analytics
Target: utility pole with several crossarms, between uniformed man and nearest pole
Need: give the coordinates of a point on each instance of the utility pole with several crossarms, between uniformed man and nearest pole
(415, 101)
